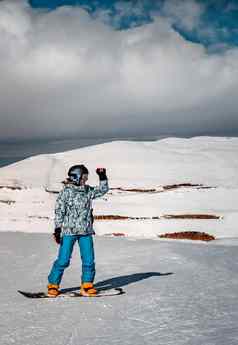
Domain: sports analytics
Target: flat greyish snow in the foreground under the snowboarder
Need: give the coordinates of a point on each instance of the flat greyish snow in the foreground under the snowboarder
(193, 303)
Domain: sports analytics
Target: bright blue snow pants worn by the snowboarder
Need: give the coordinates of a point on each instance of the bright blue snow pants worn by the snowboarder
(85, 243)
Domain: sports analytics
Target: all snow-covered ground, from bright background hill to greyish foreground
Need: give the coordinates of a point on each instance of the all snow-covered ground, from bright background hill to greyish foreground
(177, 292)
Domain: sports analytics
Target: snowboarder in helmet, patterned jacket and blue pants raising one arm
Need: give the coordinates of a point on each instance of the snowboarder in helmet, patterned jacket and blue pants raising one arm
(74, 222)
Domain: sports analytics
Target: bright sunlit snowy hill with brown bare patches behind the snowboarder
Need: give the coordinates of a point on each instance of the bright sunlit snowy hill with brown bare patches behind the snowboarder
(149, 181)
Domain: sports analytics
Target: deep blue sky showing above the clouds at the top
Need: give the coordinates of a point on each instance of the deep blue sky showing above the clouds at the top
(220, 16)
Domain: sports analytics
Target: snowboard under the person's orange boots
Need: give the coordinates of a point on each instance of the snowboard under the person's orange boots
(74, 294)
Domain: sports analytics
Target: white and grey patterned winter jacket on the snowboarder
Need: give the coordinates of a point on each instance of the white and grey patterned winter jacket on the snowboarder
(73, 209)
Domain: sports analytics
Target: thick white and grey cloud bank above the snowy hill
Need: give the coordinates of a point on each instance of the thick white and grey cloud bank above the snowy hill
(63, 73)
